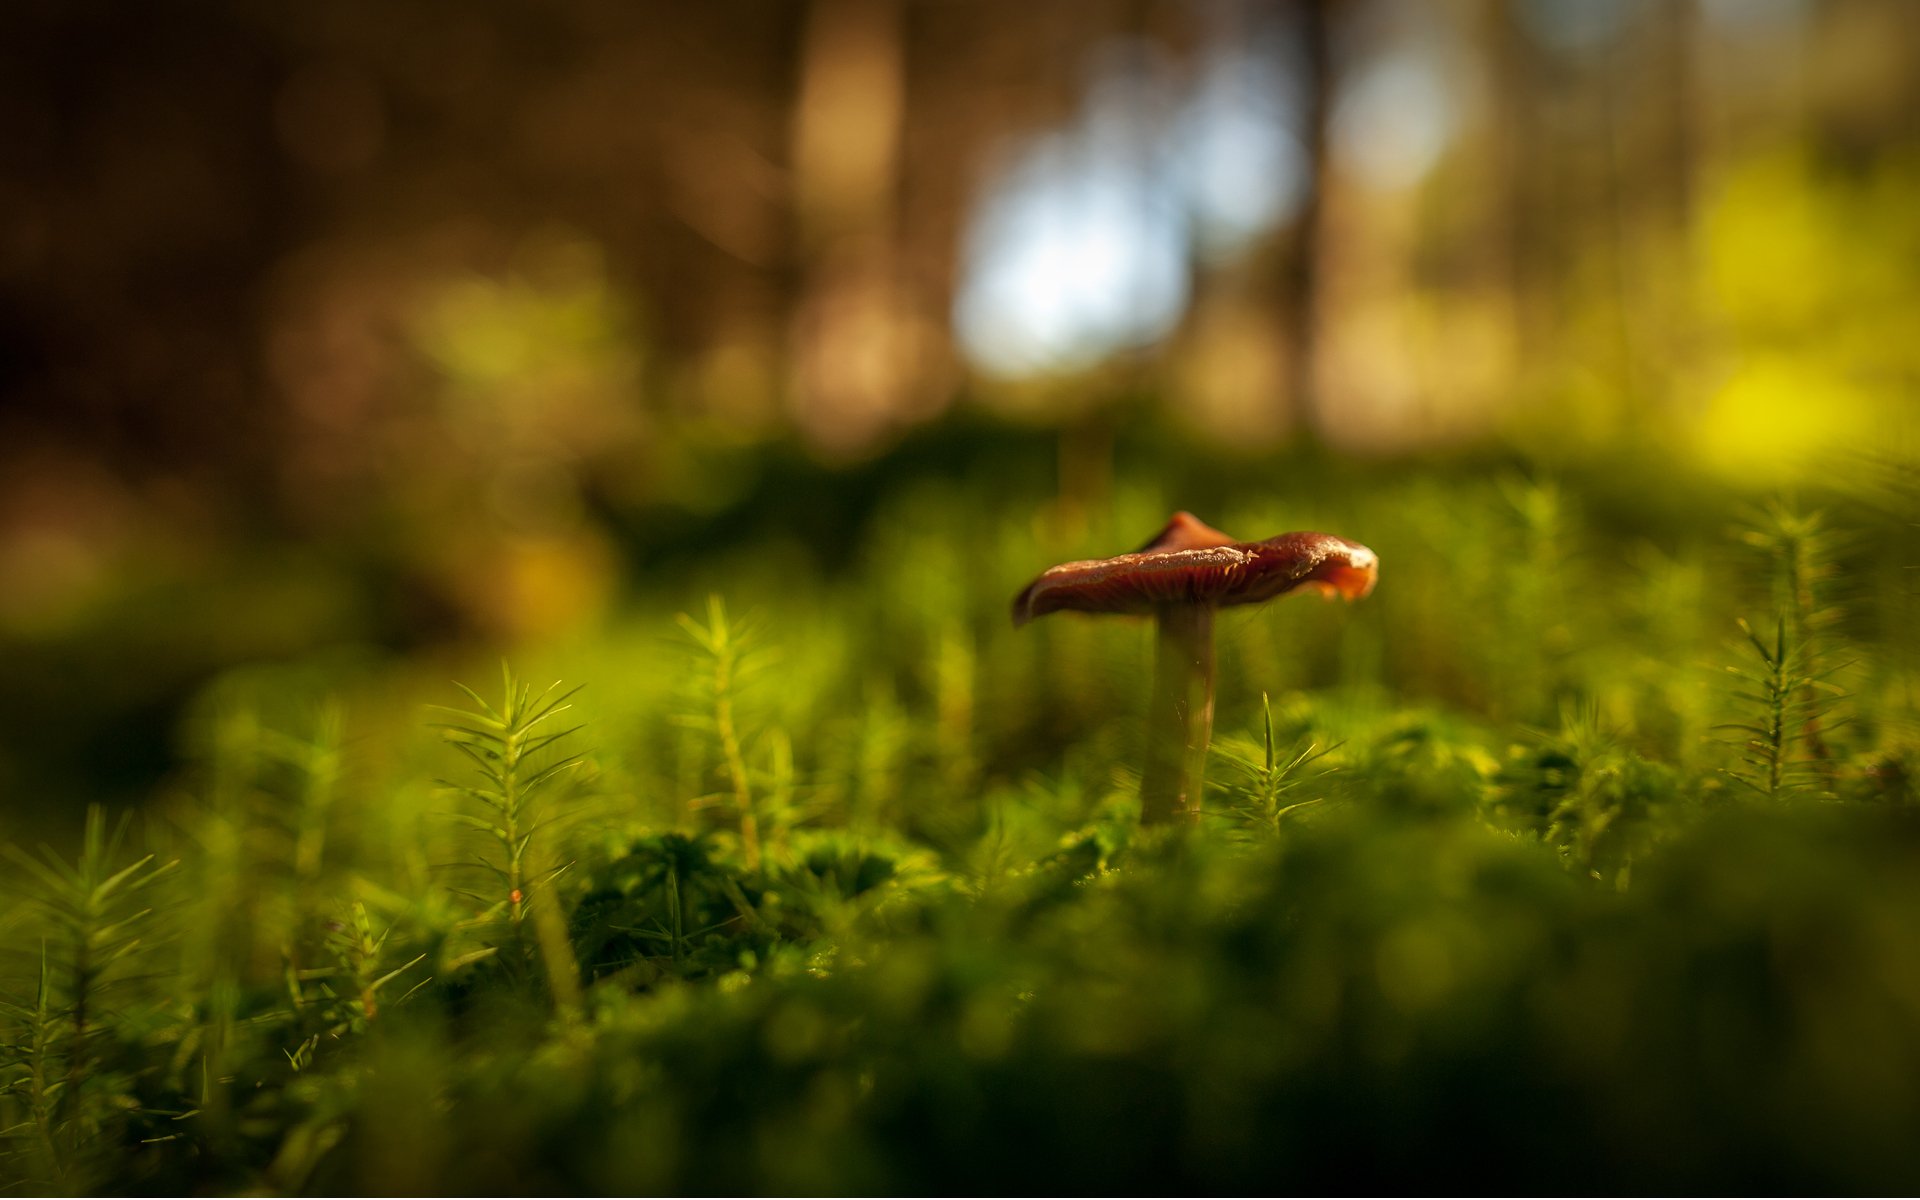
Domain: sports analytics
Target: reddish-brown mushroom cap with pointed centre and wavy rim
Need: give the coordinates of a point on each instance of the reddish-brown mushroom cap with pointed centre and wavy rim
(1191, 564)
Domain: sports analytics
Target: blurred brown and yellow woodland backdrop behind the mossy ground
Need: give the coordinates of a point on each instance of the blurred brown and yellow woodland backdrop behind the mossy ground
(433, 331)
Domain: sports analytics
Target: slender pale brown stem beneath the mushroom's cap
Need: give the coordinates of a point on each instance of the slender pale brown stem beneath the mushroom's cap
(1180, 717)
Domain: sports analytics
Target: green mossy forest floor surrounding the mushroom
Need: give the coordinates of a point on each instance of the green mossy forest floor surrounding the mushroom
(1533, 873)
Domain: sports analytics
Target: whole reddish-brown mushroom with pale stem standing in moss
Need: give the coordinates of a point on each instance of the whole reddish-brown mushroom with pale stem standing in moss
(1180, 577)
